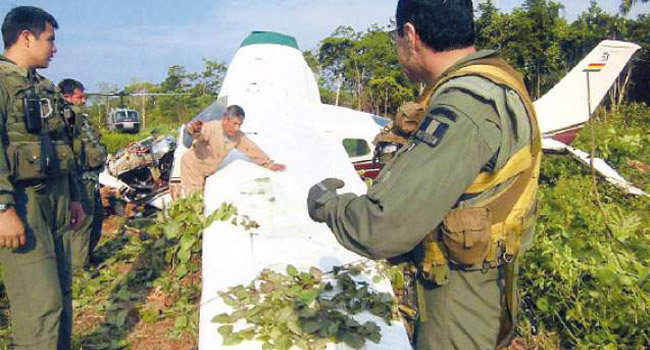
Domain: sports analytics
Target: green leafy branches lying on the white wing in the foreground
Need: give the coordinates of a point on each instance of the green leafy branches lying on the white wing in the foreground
(300, 309)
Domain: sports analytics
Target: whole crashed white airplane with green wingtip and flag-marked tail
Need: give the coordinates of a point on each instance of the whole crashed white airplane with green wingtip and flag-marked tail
(270, 79)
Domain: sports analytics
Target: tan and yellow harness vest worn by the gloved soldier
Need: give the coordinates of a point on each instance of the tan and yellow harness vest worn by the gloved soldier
(488, 233)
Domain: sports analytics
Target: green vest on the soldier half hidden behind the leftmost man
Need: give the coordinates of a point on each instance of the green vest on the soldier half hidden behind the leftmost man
(91, 154)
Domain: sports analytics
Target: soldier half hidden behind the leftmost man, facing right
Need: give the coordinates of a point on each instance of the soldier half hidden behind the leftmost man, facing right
(91, 157)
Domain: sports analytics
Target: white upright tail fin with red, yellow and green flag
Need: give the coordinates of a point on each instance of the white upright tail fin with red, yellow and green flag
(565, 105)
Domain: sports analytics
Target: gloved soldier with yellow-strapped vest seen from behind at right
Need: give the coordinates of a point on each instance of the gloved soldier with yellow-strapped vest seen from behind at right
(458, 201)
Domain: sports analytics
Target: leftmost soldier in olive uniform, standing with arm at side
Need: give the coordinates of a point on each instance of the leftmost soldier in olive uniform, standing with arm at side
(38, 187)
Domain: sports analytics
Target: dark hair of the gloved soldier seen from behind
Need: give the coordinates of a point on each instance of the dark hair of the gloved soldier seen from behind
(442, 25)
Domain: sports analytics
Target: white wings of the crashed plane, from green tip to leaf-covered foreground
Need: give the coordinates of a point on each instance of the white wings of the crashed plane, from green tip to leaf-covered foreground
(271, 81)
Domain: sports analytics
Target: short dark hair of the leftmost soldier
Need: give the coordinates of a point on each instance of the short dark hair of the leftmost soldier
(25, 18)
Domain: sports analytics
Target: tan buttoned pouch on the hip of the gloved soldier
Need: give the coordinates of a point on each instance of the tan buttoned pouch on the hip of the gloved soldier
(466, 234)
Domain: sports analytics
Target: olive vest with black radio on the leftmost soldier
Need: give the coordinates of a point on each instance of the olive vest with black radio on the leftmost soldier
(30, 157)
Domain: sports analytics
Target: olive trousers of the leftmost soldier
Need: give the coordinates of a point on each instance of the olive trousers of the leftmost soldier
(37, 275)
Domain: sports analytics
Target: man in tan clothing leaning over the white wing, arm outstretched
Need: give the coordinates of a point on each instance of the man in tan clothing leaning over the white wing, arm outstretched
(213, 141)
